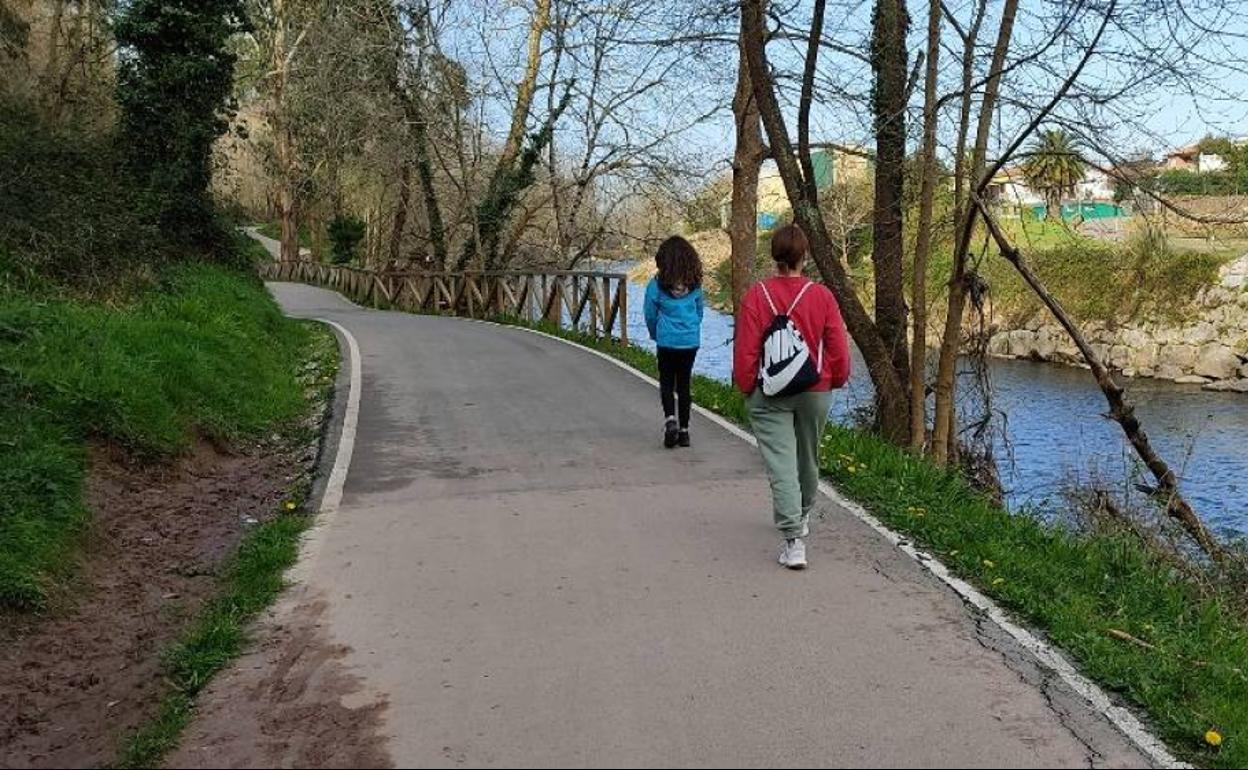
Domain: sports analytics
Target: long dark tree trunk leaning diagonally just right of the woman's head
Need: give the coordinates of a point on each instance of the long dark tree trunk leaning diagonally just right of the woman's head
(890, 390)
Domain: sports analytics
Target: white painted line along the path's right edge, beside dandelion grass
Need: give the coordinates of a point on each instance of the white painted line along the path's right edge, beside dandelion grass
(1045, 653)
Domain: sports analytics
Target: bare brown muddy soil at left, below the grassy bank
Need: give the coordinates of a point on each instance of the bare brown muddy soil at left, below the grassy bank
(82, 678)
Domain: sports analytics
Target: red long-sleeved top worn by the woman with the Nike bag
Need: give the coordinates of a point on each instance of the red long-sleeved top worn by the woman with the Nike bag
(818, 318)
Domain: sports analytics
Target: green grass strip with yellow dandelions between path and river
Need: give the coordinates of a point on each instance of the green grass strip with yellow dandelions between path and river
(1078, 588)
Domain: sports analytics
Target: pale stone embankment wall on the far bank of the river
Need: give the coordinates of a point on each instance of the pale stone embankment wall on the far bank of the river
(1211, 350)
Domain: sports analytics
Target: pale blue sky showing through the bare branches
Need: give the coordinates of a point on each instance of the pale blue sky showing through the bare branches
(1153, 117)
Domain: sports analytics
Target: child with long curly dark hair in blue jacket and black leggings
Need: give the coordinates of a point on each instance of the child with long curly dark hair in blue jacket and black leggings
(675, 314)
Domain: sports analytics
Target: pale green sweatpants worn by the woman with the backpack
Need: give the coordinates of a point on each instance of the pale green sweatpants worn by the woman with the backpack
(789, 430)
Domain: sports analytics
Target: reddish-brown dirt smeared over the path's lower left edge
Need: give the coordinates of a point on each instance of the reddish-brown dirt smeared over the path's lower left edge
(289, 703)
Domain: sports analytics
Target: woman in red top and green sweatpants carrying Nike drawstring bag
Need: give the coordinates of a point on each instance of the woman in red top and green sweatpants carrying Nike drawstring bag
(789, 353)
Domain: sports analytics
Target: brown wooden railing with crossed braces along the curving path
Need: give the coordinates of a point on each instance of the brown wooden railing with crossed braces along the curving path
(592, 301)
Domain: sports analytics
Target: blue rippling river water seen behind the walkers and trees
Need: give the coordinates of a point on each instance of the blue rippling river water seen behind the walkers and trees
(1055, 432)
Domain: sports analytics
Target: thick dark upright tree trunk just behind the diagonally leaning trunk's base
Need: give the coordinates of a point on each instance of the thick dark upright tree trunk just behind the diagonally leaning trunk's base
(889, 105)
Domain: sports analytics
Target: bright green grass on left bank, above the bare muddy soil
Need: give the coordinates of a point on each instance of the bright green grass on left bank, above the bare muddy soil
(205, 354)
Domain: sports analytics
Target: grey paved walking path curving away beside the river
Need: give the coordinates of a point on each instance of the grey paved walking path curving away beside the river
(520, 576)
